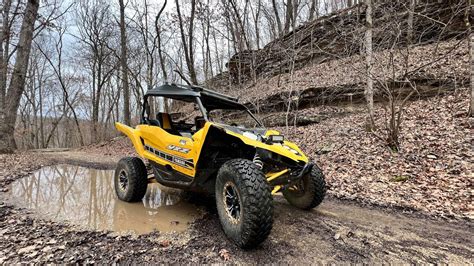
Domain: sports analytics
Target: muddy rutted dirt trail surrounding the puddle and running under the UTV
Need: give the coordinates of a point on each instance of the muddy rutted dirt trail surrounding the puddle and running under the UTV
(336, 231)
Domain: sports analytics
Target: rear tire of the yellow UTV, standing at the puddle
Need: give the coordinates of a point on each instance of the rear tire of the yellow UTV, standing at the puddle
(130, 179)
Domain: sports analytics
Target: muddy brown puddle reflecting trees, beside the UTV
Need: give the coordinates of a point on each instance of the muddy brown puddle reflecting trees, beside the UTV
(86, 196)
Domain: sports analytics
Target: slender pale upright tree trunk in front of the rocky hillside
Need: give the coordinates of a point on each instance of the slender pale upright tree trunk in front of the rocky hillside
(369, 90)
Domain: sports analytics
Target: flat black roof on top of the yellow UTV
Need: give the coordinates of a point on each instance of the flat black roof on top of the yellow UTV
(210, 99)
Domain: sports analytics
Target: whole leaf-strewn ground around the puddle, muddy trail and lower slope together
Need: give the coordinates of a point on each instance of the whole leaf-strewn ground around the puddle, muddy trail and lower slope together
(413, 206)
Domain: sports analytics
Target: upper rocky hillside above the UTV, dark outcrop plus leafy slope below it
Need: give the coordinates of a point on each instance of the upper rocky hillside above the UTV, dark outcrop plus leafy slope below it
(321, 62)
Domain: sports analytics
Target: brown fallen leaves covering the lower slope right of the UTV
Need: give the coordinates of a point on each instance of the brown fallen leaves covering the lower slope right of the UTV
(433, 172)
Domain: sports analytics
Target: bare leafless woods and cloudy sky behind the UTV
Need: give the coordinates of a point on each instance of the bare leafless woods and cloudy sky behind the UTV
(70, 69)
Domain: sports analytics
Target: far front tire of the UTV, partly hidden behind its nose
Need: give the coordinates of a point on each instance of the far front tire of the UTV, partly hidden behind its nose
(314, 186)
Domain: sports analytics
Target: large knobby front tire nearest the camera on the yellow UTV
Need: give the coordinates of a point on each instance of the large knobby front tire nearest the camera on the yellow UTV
(255, 203)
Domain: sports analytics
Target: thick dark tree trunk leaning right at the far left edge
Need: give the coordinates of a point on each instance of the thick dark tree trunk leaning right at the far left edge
(17, 83)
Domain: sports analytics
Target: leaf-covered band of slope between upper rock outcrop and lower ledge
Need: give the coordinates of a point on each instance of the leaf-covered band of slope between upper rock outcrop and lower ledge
(430, 67)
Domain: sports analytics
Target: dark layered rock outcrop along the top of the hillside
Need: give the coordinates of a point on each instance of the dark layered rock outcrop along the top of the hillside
(341, 34)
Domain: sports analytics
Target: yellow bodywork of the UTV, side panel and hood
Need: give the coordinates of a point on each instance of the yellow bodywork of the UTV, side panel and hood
(182, 153)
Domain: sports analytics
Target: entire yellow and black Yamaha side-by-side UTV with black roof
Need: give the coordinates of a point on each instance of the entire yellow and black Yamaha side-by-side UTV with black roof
(208, 146)
